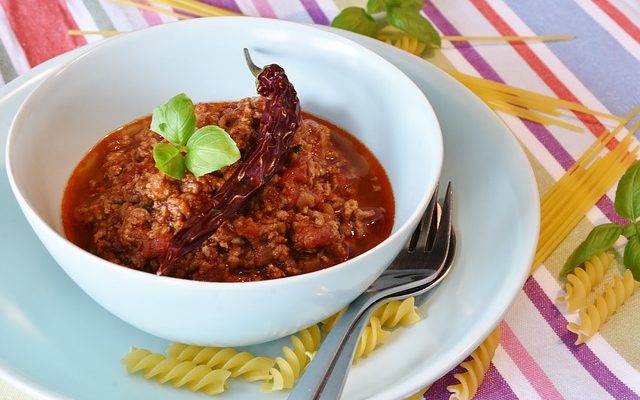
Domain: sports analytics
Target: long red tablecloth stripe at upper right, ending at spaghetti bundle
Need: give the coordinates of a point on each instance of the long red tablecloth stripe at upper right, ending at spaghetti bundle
(549, 78)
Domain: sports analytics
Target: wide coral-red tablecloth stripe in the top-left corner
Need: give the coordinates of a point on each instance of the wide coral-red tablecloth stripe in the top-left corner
(41, 28)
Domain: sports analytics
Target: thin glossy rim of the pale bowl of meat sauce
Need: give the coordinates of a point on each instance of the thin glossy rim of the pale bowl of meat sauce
(169, 280)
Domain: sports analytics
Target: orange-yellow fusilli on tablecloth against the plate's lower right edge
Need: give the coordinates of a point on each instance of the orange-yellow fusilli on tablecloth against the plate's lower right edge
(476, 367)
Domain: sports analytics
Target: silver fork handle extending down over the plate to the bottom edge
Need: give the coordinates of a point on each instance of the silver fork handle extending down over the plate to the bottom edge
(311, 383)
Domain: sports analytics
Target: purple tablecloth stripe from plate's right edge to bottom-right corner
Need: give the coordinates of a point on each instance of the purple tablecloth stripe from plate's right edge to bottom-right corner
(582, 353)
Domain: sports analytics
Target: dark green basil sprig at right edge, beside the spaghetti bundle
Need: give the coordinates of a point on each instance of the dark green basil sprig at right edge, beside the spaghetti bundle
(603, 237)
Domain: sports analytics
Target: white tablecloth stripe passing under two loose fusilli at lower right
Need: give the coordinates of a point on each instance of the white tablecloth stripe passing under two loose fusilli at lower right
(600, 347)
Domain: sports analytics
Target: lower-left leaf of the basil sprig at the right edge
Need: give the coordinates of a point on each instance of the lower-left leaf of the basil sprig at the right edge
(601, 238)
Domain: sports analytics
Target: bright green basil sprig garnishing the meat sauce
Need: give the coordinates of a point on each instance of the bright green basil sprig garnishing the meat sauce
(200, 151)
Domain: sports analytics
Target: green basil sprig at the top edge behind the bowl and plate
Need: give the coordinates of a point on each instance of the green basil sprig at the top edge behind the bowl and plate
(401, 14)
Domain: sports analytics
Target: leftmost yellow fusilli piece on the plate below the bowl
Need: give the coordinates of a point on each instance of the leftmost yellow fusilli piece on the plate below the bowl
(179, 373)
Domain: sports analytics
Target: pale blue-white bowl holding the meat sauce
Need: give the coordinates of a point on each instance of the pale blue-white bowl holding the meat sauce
(125, 77)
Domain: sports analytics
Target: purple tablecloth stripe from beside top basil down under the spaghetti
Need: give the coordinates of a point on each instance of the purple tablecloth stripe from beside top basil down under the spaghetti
(541, 133)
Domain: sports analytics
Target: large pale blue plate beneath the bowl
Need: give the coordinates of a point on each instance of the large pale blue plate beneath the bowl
(55, 342)
